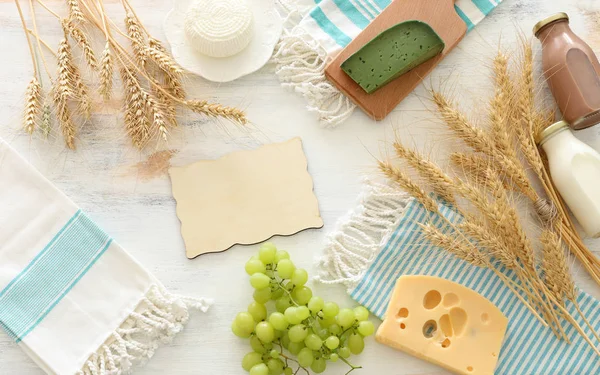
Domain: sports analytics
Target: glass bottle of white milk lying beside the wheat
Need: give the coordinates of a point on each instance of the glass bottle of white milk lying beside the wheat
(575, 171)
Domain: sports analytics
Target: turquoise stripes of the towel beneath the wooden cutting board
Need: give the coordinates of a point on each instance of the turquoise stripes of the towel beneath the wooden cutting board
(361, 12)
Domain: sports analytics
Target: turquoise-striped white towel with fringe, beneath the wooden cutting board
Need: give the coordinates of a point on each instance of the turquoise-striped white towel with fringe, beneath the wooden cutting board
(317, 29)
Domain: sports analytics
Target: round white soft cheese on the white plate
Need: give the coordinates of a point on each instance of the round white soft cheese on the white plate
(219, 28)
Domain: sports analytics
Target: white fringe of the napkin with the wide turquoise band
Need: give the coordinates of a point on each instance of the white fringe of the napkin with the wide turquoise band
(159, 317)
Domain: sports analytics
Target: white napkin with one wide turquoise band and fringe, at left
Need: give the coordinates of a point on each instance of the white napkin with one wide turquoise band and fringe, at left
(71, 297)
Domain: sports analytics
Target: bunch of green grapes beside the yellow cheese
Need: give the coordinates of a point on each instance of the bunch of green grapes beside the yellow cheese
(310, 330)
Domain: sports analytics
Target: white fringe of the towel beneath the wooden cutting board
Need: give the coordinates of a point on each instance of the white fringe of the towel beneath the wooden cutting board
(301, 63)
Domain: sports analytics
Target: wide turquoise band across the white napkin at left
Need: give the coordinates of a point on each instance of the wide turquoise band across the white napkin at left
(59, 266)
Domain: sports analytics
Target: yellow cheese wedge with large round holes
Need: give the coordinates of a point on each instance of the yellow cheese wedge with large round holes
(444, 323)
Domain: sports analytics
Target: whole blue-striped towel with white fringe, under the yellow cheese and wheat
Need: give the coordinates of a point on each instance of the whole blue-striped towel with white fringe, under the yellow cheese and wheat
(381, 241)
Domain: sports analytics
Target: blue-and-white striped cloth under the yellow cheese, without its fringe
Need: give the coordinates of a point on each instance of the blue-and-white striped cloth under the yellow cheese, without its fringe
(529, 347)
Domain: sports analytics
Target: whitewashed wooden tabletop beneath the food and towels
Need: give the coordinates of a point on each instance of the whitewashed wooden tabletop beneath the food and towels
(141, 215)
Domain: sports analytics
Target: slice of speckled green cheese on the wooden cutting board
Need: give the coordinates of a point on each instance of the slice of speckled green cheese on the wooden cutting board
(392, 53)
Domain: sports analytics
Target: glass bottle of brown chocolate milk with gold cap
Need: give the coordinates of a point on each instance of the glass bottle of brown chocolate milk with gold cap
(572, 71)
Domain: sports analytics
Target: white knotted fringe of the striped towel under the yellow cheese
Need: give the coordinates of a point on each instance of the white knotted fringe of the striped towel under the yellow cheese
(360, 236)
